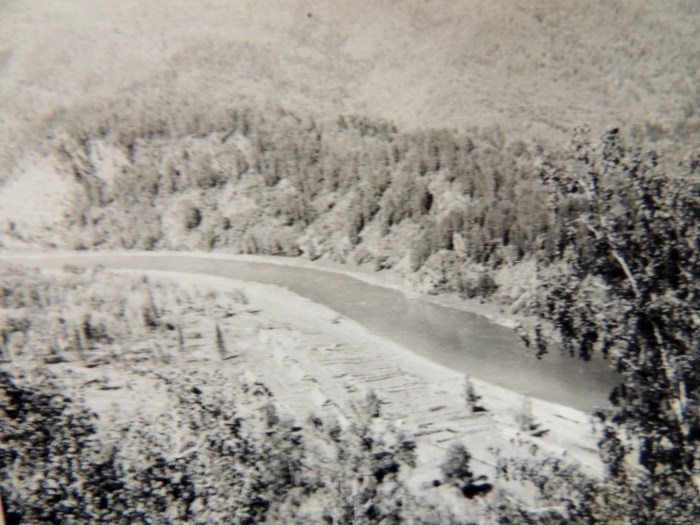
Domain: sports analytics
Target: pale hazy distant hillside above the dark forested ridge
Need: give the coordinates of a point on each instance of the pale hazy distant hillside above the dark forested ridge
(531, 66)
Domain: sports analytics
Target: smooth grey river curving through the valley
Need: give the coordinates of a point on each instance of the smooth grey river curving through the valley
(462, 341)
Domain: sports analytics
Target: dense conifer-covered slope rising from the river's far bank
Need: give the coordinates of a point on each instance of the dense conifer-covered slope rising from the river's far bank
(354, 191)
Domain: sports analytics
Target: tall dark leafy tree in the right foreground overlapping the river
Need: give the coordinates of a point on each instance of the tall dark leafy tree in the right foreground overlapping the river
(626, 286)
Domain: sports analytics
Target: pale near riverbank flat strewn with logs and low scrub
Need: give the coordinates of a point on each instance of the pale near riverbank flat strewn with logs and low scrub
(149, 330)
